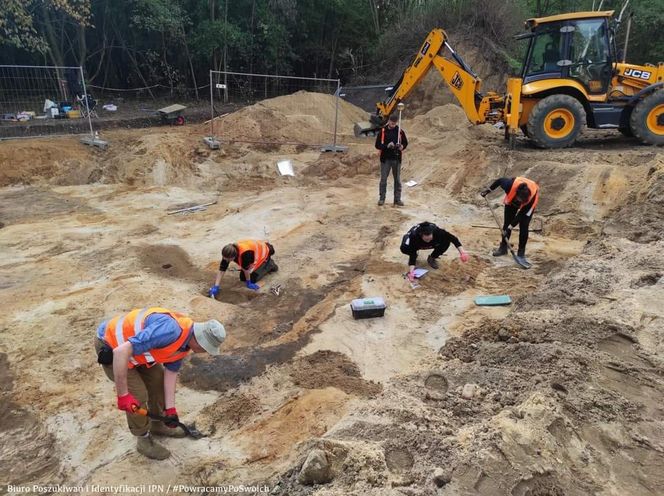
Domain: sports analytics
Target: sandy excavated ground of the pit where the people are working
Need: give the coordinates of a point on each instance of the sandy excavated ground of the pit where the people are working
(558, 394)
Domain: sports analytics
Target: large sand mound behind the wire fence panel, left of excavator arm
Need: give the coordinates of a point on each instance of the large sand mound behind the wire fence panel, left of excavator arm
(302, 117)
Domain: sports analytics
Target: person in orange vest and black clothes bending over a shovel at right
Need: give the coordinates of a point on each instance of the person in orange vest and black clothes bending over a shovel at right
(522, 195)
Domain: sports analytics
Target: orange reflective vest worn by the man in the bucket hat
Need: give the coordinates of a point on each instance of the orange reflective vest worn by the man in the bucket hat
(120, 329)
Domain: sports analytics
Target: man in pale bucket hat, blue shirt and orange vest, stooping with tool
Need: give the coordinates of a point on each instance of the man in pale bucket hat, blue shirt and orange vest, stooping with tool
(142, 352)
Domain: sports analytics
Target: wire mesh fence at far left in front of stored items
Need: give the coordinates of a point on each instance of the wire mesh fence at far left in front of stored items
(44, 100)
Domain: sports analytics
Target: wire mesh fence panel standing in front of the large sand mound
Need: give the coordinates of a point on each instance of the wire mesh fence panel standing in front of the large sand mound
(274, 109)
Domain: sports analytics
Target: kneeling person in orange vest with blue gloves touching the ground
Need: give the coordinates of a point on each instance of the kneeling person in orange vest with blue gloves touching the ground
(254, 258)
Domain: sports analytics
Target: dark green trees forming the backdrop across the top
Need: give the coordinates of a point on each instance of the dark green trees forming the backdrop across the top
(176, 42)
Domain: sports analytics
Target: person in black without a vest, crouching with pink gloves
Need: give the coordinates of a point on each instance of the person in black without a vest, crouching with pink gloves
(427, 236)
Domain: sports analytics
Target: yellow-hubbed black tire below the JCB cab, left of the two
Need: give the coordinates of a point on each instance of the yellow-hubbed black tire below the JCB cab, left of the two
(556, 121)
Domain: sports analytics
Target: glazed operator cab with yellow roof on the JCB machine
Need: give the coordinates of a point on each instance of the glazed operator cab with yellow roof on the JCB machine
(573, 46)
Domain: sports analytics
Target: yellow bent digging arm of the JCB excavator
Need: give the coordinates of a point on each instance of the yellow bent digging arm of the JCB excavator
(462, 81)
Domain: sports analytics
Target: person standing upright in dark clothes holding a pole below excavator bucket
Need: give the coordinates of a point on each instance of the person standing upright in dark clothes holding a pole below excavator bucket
(391, 141)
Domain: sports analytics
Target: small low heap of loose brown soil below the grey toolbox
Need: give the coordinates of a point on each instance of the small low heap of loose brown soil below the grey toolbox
(329, 368)
